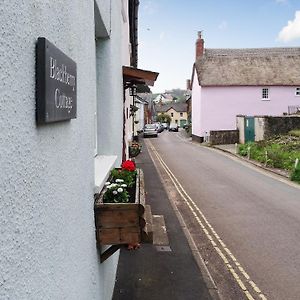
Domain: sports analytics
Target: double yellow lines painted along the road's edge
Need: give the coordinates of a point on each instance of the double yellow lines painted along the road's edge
(211, 237)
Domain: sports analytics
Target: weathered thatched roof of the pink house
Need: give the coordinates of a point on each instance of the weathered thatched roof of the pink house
(236, 67)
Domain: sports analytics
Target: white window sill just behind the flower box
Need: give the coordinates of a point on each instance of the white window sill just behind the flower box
(103, 165)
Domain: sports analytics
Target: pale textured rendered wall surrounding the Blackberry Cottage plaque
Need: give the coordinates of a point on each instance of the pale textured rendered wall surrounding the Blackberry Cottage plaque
(47, 241)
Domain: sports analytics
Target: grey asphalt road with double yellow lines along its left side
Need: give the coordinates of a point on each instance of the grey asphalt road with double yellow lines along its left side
(251, 219)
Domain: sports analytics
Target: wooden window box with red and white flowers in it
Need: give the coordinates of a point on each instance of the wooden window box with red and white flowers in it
(119, 208)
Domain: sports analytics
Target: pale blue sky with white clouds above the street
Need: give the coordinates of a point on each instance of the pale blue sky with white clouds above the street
(168, 31)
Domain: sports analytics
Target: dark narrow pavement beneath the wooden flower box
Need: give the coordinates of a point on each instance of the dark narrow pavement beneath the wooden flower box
(160, 272)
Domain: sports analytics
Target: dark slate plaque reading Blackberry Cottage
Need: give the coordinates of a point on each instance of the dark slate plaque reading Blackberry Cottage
(56, 84)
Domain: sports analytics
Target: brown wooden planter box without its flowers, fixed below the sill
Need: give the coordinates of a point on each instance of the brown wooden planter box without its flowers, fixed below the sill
(121, 223)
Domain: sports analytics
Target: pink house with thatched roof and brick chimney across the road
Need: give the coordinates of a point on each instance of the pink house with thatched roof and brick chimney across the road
(230, 82)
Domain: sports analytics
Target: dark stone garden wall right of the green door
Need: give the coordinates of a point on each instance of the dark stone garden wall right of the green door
(280, 125)
